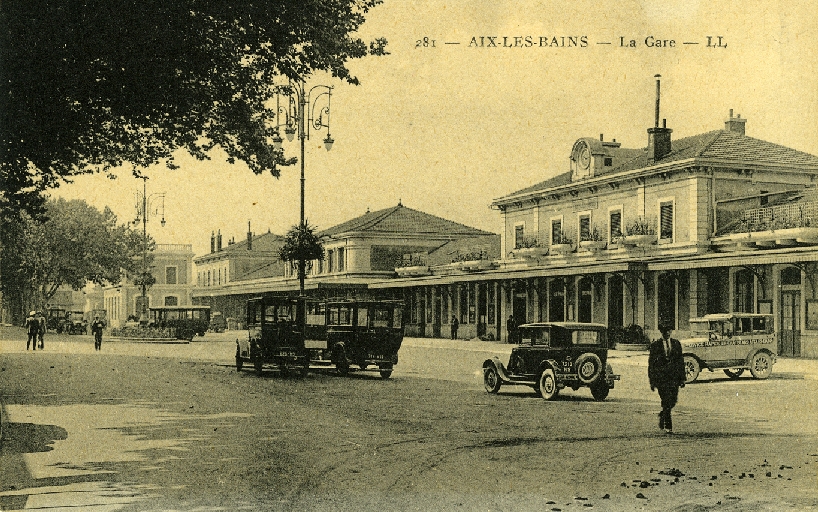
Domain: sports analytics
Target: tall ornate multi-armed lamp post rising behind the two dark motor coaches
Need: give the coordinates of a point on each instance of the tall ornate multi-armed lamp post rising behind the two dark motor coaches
(304, 110)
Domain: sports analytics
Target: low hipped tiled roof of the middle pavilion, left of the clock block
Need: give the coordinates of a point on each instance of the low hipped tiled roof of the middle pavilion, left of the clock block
(402, 220)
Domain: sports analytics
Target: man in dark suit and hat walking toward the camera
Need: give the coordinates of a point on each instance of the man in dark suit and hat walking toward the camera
(666, 372)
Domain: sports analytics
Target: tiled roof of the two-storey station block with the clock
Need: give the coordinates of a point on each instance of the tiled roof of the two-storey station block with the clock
(718, 144)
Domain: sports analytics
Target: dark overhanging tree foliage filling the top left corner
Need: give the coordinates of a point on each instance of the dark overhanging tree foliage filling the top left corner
(87, 85)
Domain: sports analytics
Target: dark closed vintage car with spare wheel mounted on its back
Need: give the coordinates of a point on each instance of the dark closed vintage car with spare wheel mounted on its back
(554, 355)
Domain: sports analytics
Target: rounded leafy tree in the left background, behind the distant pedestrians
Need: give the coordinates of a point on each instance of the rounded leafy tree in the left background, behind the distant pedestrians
(74, 245)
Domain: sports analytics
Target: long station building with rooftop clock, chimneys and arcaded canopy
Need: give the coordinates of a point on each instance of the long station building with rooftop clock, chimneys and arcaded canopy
(717, 222)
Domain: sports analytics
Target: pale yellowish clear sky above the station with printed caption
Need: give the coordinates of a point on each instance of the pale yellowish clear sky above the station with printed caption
(449, 126)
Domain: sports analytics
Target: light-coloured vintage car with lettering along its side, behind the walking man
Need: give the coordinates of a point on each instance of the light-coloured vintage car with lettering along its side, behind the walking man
(732, 342)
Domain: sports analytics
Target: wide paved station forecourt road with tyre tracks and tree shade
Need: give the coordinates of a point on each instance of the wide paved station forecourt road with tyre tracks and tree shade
(158, 427)
